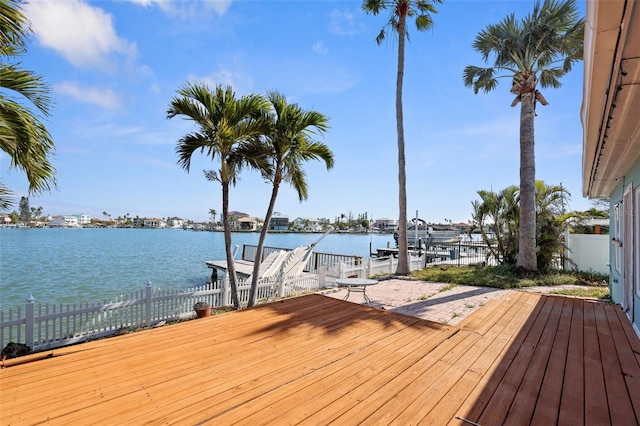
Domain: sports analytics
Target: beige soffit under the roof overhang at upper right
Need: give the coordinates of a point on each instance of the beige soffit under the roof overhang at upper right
(611, 108)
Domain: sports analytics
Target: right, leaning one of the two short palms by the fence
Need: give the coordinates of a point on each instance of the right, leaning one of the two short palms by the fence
(288, 144)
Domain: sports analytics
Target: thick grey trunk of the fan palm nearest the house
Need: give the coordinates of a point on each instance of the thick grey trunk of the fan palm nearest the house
(527, 259)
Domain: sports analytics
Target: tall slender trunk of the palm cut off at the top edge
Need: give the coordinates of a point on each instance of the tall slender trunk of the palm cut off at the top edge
(403, 250)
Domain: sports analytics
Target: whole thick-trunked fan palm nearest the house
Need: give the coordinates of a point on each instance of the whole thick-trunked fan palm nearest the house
(541, 48)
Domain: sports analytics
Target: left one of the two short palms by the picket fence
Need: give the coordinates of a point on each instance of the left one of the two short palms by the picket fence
(225, 126)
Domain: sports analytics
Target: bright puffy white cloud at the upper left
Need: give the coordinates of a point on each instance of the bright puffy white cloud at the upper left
(84, 35)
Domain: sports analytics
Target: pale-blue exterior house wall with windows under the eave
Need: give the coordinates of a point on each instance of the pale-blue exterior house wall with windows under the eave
(619, 245)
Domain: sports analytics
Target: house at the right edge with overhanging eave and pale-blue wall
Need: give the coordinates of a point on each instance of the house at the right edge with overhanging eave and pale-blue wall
(611, 140)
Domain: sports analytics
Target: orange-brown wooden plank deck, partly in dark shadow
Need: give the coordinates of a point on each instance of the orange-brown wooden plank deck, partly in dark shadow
(523, 359)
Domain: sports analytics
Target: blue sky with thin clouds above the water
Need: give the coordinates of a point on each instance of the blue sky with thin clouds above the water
(114, 66)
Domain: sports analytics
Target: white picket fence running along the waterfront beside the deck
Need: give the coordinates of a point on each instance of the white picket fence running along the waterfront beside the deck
(47, 326)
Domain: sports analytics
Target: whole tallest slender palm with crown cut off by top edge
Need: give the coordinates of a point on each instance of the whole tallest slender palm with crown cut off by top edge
(400, 11)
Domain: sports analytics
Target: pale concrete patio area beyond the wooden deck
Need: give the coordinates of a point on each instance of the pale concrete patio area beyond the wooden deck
(443, 303)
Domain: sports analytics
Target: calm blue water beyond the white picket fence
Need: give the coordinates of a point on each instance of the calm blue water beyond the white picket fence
(90, 265)
